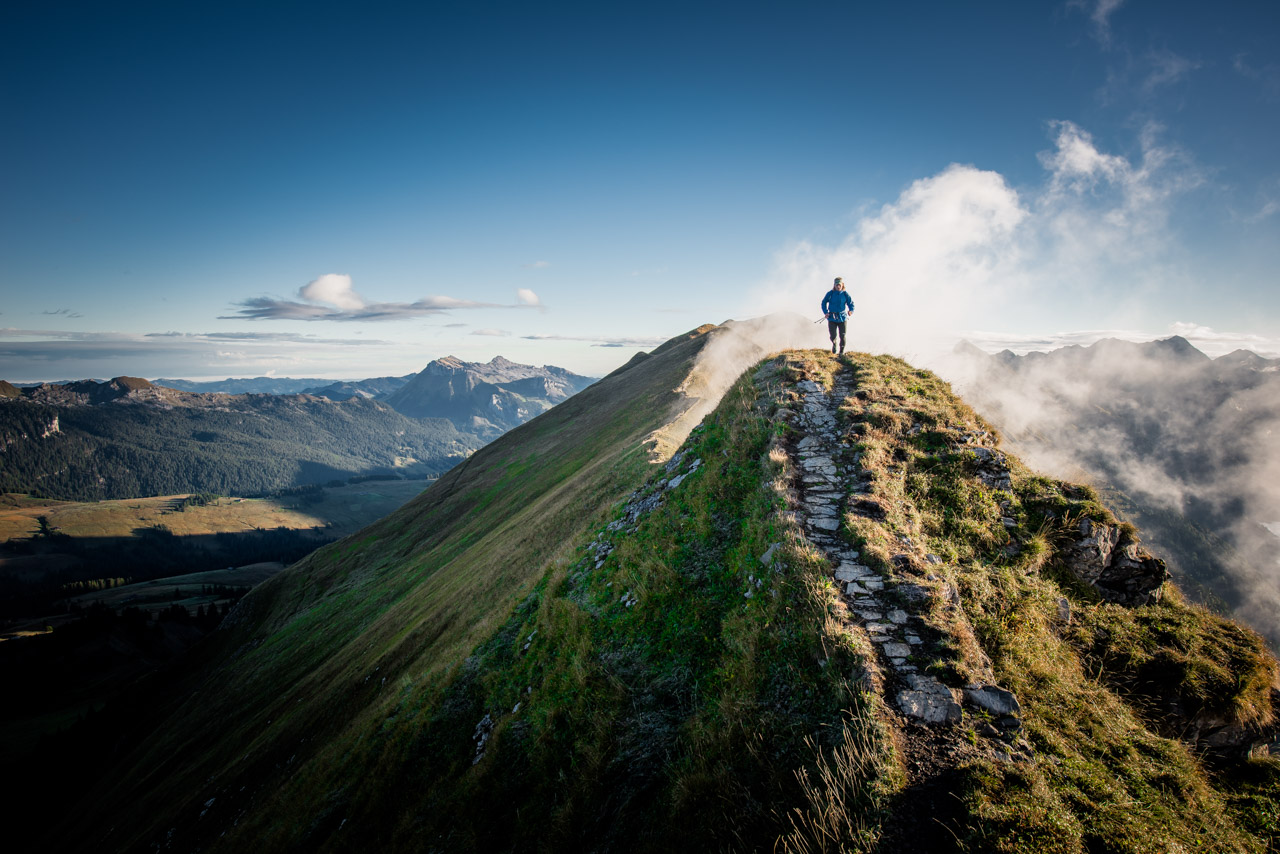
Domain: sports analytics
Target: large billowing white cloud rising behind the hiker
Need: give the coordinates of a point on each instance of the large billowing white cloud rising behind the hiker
(964, 249)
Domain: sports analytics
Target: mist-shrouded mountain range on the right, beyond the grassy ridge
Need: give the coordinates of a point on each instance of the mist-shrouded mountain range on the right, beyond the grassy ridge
(1190, 441)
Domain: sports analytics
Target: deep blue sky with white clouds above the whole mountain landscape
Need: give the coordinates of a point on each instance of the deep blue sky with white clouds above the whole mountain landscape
(330, 190)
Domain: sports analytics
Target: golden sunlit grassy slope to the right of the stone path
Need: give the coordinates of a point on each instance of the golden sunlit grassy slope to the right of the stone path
(1108, 775)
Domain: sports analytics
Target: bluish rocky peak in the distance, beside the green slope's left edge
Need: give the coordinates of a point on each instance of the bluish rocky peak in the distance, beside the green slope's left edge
(484, 399)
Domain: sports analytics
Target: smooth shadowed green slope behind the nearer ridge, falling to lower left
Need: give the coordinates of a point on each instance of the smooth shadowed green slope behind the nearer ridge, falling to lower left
(305, 659)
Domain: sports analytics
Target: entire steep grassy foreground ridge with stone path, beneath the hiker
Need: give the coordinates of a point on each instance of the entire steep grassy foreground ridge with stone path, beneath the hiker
(838, 619)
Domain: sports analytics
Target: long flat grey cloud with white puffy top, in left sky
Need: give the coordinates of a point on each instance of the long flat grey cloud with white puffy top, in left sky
(331, 298)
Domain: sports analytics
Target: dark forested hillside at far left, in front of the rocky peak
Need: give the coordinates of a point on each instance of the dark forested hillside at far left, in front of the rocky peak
(129, 439)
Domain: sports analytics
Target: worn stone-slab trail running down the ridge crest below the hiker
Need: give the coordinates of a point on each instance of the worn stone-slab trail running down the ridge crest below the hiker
(898, 610)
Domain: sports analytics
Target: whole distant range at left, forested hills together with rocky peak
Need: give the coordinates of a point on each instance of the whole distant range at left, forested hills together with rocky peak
(129, 437)
